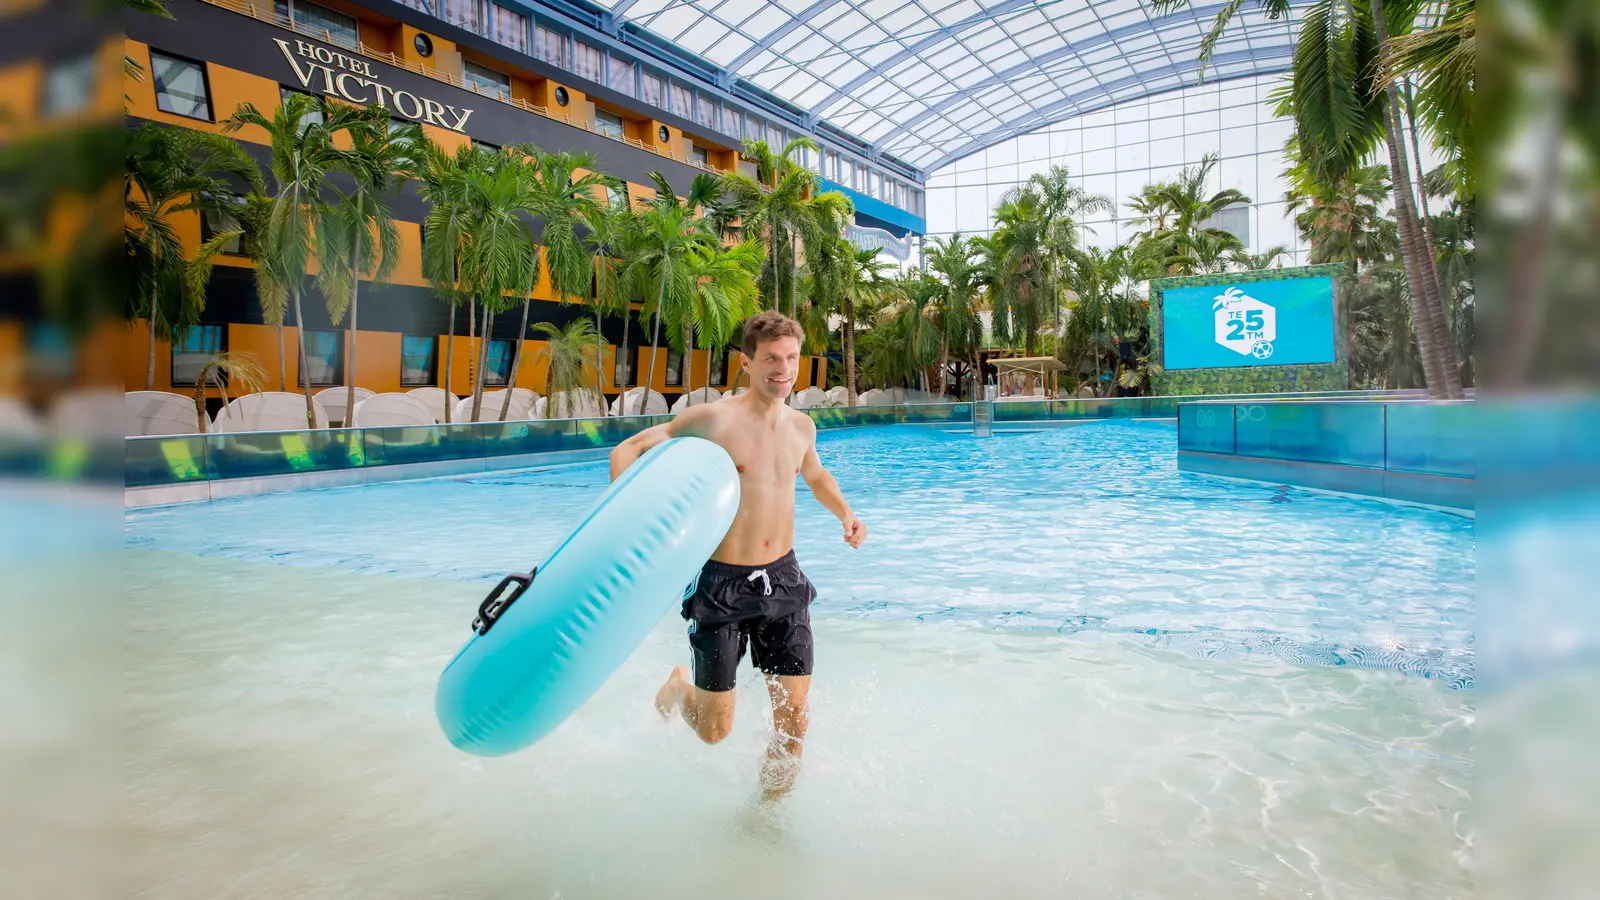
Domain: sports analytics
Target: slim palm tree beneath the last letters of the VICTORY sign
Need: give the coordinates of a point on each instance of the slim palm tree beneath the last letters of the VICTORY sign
(442, 183)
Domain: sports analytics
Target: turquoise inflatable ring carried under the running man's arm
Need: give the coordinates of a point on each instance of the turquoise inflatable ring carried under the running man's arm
(545, 643)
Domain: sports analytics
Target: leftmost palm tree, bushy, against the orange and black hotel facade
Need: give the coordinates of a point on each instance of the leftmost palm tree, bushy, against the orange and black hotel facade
(169, 172)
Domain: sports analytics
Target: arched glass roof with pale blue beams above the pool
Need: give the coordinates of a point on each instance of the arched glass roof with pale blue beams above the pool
(934, 81)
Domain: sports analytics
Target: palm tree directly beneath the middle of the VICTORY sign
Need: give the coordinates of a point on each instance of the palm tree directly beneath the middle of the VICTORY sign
(383, 155)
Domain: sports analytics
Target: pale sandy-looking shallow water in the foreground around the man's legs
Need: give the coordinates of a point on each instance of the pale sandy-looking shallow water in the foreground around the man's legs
(282, 744)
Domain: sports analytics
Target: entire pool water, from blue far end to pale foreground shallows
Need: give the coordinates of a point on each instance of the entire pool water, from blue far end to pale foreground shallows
(1060, 669)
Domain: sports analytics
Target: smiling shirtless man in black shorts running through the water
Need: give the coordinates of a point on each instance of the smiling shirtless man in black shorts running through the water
(753, 593)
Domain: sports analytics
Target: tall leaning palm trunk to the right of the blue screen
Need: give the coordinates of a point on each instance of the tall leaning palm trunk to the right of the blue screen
(1433, 337)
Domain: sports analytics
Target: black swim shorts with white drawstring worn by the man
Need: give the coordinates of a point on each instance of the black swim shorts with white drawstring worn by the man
(764, 606)
